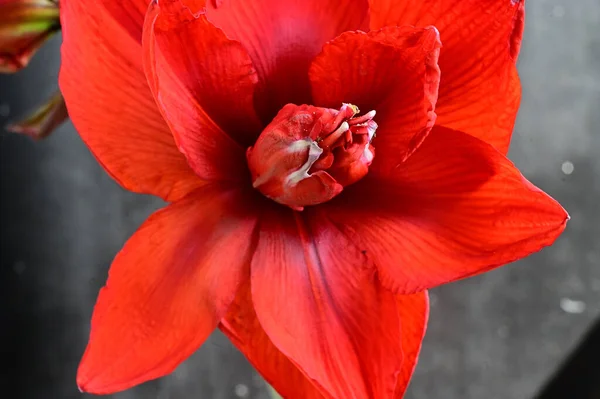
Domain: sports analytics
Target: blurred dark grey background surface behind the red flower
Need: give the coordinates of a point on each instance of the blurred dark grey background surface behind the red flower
(496, 336)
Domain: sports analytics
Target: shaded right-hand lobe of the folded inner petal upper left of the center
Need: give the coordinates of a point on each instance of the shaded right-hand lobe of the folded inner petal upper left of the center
(215, 71)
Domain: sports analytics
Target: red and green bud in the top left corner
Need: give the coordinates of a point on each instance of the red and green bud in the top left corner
(24, 26)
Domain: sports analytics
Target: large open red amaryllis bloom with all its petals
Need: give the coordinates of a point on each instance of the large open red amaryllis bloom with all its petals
(321, 177)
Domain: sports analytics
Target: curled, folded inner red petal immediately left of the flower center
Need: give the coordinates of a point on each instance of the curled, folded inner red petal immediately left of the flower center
(183, 56)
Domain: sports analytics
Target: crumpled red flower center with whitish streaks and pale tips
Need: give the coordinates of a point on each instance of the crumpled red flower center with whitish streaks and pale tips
(307, 155)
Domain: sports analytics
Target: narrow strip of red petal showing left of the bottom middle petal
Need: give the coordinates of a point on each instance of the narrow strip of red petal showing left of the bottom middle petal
(244, 330)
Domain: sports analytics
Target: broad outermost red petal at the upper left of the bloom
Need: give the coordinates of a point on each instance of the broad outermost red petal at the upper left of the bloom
(111, 106)
